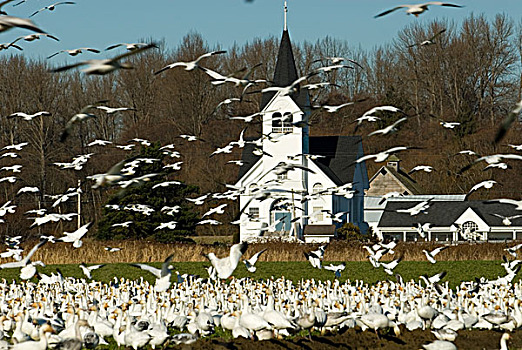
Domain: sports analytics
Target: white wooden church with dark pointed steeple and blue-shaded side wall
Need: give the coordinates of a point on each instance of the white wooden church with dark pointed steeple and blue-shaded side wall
(307, 203)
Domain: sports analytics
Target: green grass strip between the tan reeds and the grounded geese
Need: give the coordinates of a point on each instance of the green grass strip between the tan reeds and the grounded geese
(457, 271)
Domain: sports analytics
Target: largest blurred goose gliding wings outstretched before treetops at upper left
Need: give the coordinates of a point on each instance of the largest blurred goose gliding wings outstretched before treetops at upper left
(105, 66)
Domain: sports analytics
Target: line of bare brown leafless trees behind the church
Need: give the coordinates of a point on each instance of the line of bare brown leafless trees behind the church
(471, 74)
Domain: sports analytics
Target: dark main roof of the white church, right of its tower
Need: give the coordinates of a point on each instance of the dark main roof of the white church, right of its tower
(340, 152)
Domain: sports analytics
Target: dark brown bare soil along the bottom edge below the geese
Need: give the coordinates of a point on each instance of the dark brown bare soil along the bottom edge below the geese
(356, 339)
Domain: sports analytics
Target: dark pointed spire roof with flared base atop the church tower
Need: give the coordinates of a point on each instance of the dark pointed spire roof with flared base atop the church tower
(285, 74)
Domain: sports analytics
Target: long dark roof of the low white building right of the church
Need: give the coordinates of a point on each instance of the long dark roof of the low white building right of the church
(445, 213)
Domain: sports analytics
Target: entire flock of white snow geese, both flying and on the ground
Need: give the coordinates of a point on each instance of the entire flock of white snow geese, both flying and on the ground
(67, 313)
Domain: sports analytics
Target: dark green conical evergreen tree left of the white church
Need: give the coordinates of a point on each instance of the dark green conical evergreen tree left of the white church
(142, 195)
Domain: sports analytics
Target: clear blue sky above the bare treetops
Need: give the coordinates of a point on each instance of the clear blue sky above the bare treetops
(100, 23)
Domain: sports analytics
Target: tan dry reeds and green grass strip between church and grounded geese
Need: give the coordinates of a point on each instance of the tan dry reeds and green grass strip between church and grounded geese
(462, 262)
